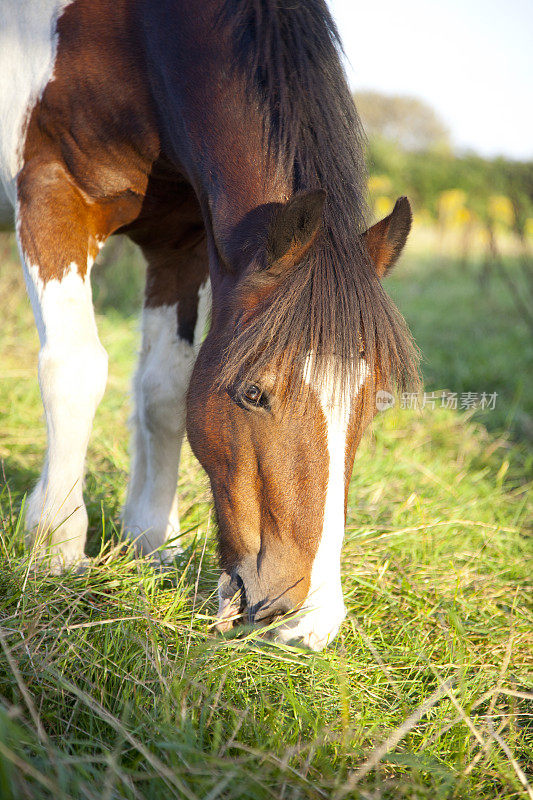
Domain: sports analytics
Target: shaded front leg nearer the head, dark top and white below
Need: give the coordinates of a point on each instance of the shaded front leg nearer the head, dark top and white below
(174, 317)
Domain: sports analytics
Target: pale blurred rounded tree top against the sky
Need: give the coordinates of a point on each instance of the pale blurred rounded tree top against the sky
(407, 121)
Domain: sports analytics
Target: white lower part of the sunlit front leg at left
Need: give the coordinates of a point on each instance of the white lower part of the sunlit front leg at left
(72, 379)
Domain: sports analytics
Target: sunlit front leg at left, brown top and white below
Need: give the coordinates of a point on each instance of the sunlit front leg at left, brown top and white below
(58, 241)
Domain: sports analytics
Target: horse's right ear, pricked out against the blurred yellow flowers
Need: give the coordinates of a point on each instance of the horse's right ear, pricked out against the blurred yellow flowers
(385, 240)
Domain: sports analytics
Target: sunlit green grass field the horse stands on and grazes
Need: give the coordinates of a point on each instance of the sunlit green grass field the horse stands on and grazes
(113, 684)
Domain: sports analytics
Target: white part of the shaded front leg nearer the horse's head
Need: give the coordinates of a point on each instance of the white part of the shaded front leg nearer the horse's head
(160, 388)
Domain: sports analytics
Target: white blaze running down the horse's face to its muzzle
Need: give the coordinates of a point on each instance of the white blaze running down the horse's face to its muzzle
(318, 621)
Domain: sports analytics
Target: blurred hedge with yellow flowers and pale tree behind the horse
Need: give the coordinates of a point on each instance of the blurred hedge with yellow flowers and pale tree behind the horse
(409, 152)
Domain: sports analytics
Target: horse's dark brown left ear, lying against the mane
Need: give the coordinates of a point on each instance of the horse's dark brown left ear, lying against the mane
(293, 230)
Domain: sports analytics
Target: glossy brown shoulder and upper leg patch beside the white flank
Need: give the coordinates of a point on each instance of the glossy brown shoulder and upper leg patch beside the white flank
(90, 143)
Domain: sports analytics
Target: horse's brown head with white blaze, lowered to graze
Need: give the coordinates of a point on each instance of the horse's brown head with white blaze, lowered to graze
(277, 438)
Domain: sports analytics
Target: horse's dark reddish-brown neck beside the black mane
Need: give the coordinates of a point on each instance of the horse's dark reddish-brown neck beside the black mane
(211, 126)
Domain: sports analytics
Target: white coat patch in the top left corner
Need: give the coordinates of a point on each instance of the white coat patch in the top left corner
(28, 46)
